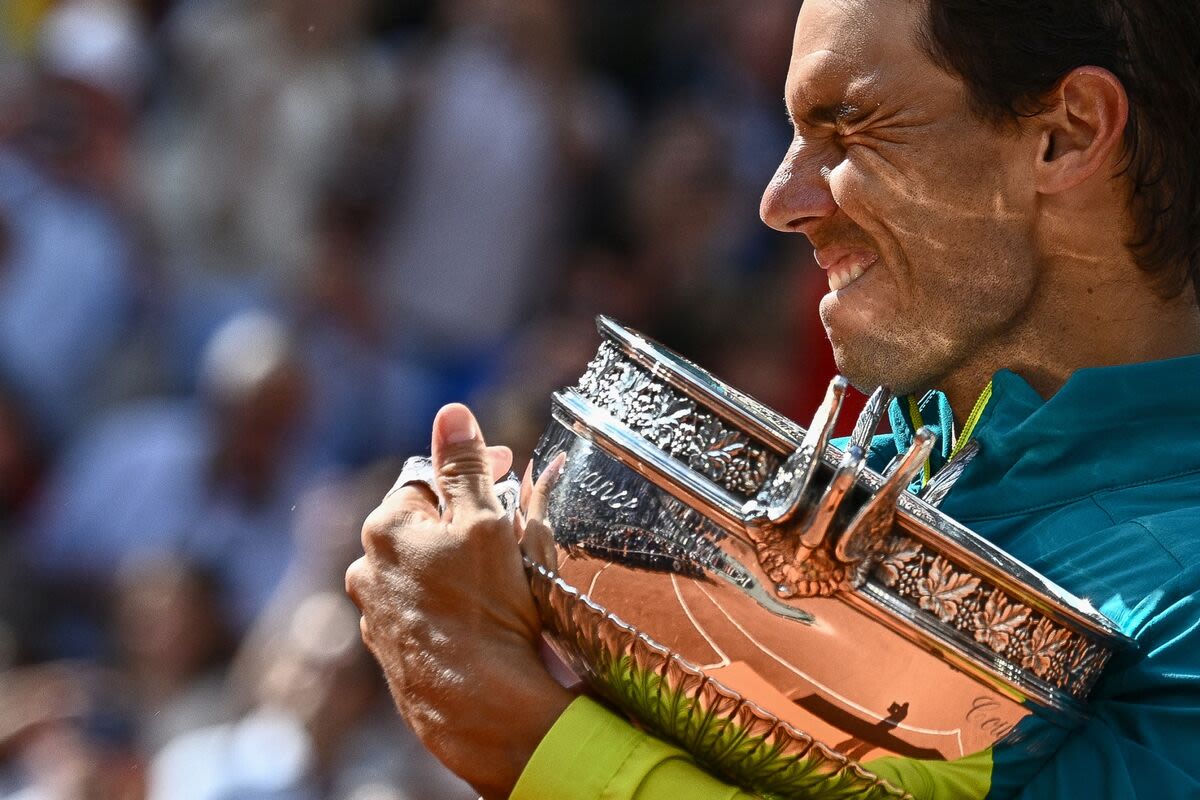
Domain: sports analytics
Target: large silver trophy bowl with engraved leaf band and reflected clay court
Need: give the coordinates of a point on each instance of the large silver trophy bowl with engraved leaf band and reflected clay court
(740, 587)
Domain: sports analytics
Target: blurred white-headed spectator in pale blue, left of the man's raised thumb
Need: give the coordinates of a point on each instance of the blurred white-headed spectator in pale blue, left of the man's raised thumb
(215, 482)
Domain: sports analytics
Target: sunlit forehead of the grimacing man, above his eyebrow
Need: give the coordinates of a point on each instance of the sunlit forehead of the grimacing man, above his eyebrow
(853, 41)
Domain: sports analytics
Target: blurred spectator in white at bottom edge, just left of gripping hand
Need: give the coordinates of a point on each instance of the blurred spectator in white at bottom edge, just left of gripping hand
(316, 730)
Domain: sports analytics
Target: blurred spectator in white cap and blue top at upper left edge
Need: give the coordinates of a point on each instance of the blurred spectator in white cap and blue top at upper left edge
(67, 256)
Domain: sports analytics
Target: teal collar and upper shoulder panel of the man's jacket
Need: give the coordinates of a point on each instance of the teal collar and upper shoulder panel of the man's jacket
(1106, 429)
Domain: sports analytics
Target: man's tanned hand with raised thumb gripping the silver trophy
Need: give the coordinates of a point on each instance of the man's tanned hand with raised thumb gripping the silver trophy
(448, 613)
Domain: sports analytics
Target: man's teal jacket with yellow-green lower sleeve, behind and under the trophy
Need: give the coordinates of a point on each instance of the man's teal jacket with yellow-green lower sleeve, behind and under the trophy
(1099, 489)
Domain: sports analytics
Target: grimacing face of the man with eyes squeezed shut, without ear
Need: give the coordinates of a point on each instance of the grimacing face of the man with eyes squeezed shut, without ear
(921, 214)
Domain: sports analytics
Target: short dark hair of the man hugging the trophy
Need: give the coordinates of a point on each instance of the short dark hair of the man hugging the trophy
(1012, 53)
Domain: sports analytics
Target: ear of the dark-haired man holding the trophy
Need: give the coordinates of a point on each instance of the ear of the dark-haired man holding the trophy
(1083, 127)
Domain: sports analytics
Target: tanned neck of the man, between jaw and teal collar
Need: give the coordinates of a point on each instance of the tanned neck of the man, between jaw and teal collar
(1081, 321)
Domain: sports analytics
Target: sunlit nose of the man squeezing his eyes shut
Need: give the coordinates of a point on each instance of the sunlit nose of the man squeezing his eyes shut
(799, 196)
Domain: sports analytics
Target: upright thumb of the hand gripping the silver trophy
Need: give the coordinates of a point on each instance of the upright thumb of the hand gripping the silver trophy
(461, 464)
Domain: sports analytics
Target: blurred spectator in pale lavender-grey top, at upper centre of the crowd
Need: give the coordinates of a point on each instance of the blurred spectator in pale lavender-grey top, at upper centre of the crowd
(482, 208)
